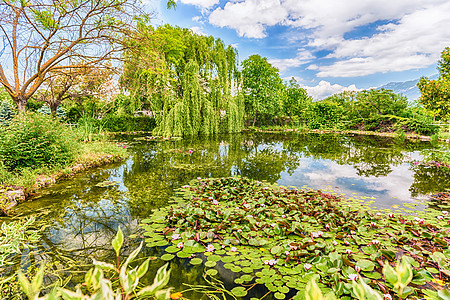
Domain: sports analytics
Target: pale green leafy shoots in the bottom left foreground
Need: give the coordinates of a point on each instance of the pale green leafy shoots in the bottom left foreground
(96, 286)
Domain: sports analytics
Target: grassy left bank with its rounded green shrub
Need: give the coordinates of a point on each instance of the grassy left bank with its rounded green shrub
(37, 150)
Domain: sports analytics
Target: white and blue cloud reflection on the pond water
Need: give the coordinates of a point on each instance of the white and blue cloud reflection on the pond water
(320, 174)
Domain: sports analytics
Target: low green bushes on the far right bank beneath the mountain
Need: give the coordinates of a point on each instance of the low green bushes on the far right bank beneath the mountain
(373, 110)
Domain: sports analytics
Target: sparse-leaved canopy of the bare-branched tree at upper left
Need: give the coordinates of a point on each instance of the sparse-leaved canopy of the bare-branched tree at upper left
(48, 36)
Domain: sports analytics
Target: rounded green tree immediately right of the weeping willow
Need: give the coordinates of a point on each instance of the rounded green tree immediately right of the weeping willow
(263, 89)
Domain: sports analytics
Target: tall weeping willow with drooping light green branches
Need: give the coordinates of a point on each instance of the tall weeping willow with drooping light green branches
(186, 80)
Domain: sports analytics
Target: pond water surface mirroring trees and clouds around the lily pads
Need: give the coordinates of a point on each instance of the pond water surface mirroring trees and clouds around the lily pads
(80, 216)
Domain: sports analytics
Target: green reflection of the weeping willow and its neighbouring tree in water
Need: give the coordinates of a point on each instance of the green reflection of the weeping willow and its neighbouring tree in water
(159, 168)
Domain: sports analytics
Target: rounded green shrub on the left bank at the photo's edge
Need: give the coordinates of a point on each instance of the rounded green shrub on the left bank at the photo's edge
(33, 140)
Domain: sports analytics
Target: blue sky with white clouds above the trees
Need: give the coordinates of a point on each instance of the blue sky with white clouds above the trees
(328, 46)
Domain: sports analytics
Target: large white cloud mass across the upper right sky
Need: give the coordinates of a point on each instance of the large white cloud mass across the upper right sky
(415, 33)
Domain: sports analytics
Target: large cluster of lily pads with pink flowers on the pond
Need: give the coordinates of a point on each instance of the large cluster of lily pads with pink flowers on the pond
(281, 238)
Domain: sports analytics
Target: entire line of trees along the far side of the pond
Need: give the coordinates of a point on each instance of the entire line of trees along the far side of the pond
(72, 54)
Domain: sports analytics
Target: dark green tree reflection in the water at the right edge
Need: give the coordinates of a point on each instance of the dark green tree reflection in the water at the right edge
(430, 179)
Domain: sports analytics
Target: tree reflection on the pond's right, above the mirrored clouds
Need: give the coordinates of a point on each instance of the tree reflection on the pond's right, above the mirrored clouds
(370, 155)
